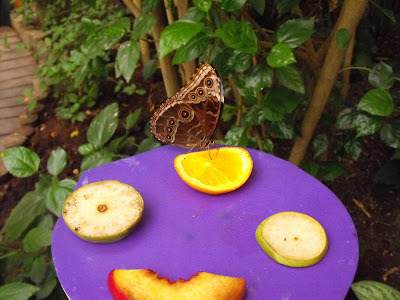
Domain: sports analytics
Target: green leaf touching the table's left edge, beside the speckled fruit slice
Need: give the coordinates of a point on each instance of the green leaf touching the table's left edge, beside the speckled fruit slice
(58, 194)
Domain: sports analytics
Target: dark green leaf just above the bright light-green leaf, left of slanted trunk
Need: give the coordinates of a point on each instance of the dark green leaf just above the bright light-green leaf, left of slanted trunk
(295, 32)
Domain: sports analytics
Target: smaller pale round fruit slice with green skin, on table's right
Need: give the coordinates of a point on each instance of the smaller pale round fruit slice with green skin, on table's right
(292, 239)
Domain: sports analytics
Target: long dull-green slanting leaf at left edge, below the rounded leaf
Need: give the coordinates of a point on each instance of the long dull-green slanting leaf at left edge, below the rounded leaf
(26, 211)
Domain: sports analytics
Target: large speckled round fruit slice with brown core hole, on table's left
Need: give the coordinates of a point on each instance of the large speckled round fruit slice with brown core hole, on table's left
(104, 211)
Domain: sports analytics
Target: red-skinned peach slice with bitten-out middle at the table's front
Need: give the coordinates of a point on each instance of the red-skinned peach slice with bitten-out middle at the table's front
(146, 285)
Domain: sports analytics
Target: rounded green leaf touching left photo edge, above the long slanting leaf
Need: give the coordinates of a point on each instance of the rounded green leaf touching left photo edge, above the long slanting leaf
(21, 161)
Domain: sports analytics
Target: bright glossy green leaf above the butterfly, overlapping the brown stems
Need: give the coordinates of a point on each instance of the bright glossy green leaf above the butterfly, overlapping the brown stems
(177, 34)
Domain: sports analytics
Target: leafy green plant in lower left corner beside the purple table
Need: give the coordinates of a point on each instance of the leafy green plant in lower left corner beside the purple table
(24, 251)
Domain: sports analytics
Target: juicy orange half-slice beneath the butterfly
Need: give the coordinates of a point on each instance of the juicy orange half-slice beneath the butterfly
(215, 171)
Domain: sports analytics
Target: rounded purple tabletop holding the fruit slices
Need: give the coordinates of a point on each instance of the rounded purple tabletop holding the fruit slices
(183, 231)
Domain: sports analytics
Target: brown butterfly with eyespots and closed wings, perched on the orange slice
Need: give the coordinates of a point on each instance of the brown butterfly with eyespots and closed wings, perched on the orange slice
(190, 118)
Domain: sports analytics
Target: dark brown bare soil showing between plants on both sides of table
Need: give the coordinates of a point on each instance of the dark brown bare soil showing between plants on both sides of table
(376, 215)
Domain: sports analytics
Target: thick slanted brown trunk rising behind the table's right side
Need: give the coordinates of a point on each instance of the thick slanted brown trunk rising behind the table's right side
(350, 15)
